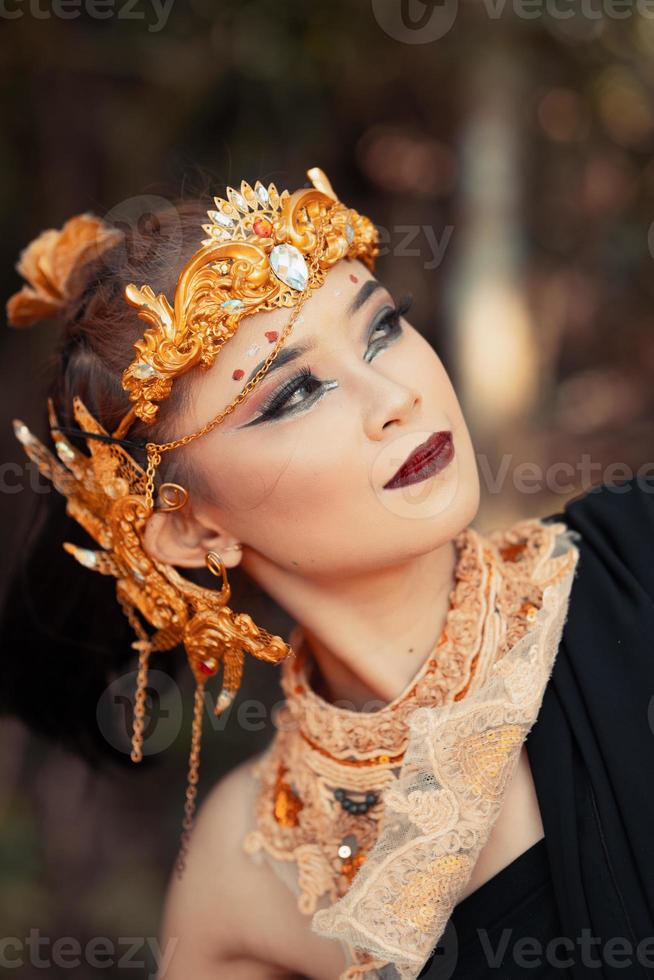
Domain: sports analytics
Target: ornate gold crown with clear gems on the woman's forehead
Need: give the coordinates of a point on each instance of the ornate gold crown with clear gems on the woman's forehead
(264, 249)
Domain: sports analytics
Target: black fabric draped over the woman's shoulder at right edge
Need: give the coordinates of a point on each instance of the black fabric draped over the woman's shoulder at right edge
(591, 748)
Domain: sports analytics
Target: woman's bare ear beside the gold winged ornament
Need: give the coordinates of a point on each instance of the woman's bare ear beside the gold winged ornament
(181, 538)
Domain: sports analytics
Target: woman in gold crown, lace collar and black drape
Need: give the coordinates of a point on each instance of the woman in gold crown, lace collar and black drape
(397, 805)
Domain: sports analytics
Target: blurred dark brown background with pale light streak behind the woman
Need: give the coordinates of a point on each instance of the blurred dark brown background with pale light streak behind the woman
(505, 151)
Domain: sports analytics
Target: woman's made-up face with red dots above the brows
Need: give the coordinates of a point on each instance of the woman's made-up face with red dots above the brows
(297, 472)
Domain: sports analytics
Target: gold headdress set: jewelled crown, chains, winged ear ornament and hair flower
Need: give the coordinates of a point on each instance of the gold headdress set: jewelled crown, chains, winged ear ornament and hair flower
(264, 249)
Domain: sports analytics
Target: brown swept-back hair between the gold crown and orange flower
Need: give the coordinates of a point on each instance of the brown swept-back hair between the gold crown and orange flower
(100, 328)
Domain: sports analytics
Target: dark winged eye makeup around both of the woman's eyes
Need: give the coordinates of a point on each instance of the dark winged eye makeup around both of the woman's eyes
(384, 330)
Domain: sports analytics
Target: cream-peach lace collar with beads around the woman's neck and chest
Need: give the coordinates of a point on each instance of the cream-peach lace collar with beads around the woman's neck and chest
(429, 770)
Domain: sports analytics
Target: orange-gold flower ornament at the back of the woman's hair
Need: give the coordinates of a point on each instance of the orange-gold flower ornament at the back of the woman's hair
(47, 264)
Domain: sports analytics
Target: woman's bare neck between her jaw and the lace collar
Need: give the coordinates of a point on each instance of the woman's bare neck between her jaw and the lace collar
(369, 634)
